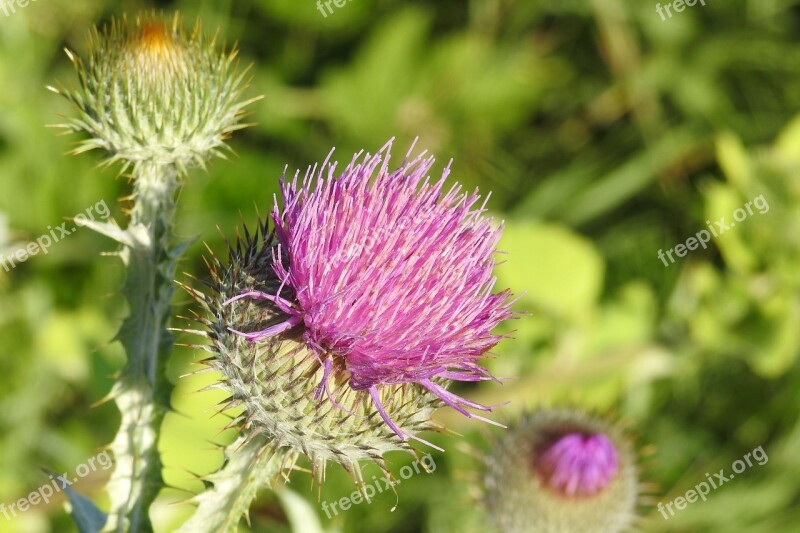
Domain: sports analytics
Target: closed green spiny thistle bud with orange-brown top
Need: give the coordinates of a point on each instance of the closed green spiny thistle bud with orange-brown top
(151, 93)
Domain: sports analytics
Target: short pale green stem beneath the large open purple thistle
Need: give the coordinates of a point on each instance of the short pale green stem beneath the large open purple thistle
(249, 465)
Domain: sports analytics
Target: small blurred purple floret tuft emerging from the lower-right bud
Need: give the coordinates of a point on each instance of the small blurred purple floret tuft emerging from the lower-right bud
(578, 464)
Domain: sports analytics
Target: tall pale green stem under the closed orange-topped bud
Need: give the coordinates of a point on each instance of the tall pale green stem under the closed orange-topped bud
(142, 390)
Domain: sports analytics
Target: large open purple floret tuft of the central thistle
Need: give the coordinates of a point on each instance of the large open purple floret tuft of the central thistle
(387, 276)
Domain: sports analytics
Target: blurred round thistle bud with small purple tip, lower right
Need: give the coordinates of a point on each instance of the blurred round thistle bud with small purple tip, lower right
(561, 471)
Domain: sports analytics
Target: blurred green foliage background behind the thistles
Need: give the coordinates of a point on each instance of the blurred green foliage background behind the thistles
(605, 135)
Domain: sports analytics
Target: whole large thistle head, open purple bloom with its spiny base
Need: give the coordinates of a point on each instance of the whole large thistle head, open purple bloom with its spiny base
(338, 331)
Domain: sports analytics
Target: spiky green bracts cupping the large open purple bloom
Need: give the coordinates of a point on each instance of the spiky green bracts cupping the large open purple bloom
(274, 383)
